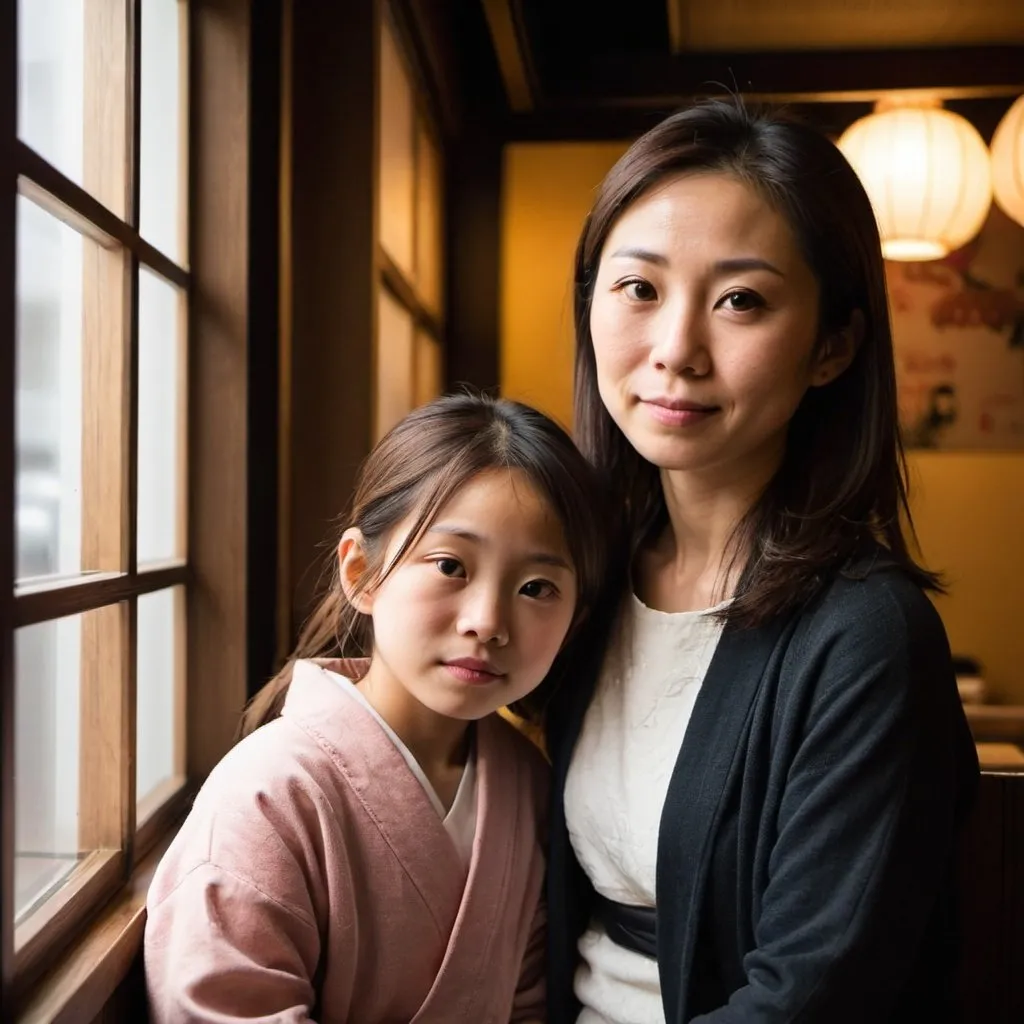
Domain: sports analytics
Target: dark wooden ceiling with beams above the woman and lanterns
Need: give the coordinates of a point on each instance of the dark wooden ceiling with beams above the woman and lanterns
(590, 69)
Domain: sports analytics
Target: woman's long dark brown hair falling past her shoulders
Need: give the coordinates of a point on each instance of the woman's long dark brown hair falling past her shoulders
(842, 485)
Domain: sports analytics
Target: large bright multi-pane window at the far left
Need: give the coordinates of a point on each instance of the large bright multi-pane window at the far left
(102, 576)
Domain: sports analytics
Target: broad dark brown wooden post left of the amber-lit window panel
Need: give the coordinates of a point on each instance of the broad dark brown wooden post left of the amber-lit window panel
(334, 272)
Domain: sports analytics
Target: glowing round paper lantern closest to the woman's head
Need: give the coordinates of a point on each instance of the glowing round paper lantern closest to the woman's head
(927, 174)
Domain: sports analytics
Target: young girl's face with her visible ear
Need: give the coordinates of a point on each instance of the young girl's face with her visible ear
(475, 615)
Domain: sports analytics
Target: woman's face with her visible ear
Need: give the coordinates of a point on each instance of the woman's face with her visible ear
(704, 323)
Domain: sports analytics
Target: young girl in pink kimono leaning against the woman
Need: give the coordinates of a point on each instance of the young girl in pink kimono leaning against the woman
(372, 850)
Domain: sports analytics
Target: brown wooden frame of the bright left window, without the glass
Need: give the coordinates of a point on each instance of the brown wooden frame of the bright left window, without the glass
(65, 960)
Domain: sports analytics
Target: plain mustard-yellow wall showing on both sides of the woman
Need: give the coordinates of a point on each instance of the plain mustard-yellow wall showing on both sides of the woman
(969, 508)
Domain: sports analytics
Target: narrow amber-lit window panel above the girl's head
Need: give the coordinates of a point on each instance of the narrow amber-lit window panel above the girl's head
(410, 313)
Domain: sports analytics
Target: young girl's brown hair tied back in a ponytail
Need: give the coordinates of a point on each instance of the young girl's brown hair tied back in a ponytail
(413, 472)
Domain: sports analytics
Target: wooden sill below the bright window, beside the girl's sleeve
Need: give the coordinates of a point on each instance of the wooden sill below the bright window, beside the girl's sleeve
(91, 971)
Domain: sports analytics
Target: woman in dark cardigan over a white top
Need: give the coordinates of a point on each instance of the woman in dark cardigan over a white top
(773, 753)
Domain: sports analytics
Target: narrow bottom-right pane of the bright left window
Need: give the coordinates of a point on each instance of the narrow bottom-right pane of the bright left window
(159, 708)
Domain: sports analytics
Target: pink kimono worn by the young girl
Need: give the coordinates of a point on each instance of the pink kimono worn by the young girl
(314, 880)
